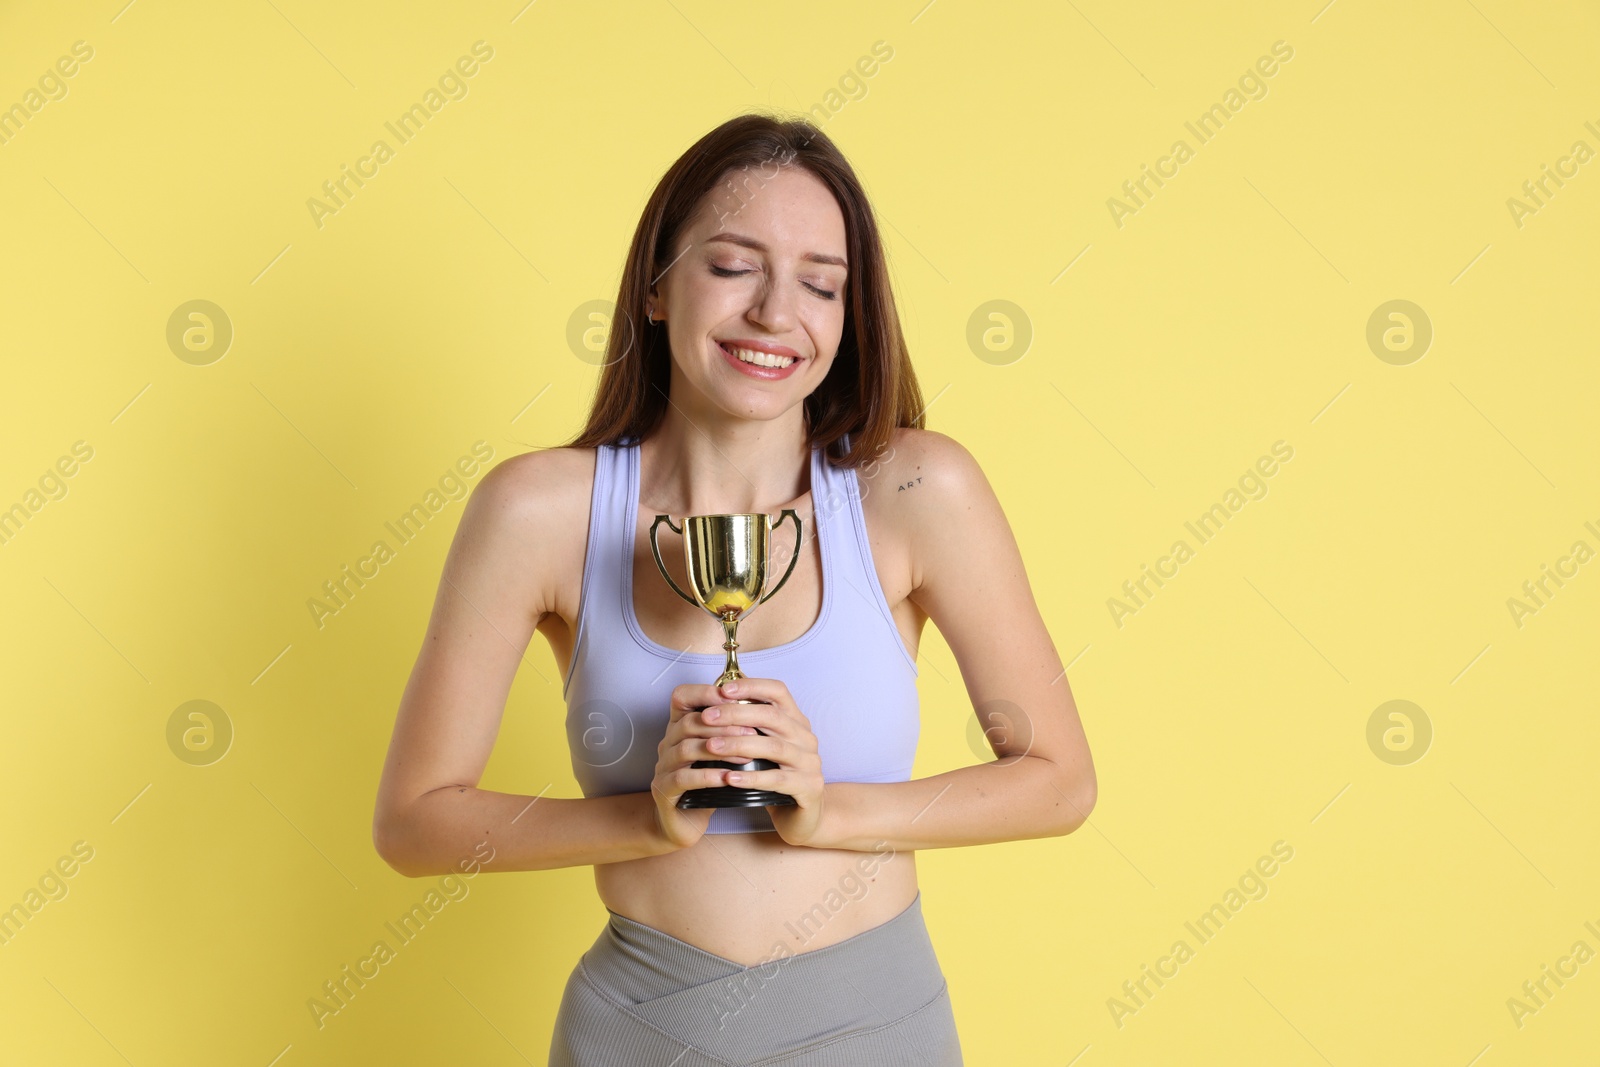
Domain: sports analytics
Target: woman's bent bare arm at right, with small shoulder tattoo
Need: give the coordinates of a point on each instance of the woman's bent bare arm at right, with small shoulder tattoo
(969, 578)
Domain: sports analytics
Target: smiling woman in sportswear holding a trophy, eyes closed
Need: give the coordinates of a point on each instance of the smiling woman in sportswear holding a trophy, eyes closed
(769, 372)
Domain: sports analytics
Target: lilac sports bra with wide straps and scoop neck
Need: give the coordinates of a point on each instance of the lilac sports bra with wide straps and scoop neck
(850, 674)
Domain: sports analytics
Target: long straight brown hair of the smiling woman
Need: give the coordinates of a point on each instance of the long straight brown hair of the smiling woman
(870, 391)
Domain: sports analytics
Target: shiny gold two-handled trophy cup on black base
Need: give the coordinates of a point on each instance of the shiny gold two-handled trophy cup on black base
(727, 561)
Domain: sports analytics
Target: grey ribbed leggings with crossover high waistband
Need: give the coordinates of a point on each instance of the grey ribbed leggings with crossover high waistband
(644, 999)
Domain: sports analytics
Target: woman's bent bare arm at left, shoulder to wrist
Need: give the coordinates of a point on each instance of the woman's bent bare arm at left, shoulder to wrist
(498, 581)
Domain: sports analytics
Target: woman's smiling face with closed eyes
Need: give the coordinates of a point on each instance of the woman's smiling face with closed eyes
(761, 266)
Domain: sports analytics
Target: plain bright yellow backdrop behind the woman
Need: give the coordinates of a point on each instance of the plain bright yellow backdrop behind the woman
(1228, 314)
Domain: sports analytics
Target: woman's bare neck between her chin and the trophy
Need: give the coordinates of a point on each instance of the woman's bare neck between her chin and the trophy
(708, 466)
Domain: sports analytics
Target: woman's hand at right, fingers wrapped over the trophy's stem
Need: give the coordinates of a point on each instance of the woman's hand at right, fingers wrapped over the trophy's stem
(788, 743)
